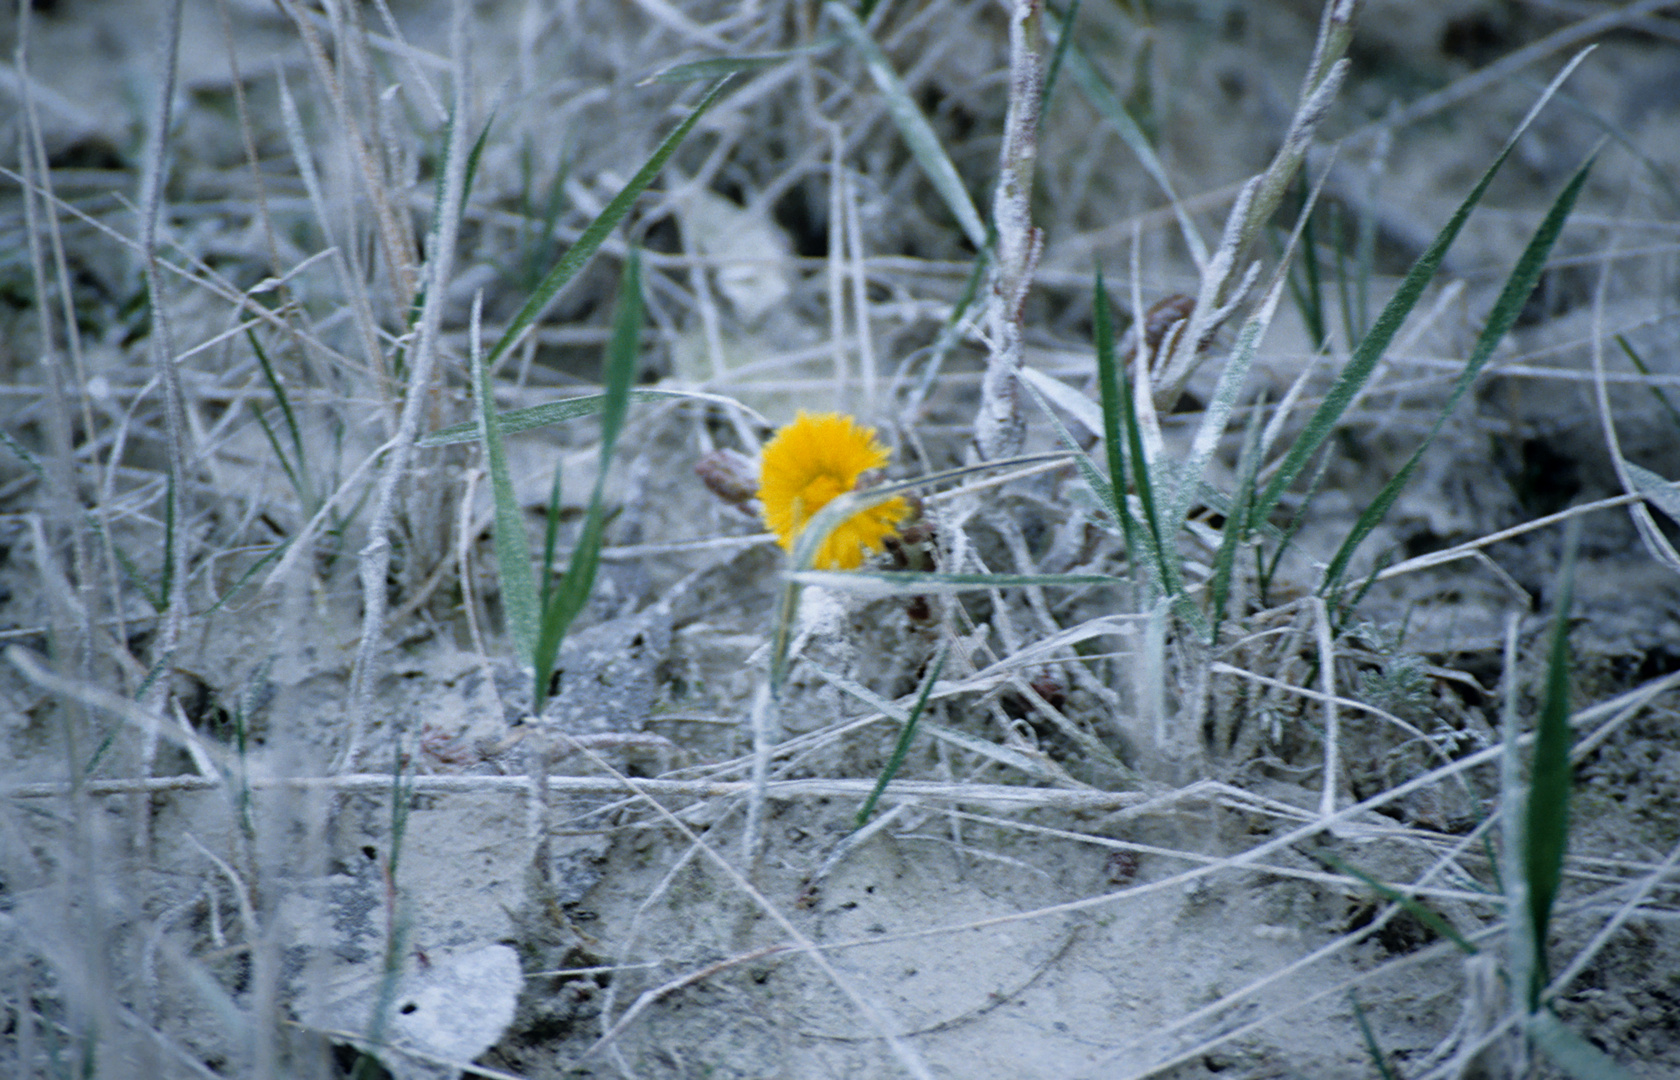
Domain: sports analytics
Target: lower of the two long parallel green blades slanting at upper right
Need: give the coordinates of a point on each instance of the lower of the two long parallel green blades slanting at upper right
(1509, 305)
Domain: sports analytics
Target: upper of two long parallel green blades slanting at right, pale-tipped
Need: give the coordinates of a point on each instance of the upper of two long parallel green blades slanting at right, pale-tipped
(1389, 323)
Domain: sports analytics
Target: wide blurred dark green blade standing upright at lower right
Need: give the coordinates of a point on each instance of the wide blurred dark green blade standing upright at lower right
(1546, 836)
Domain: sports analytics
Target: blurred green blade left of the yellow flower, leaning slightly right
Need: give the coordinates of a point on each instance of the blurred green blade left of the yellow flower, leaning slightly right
(567, 602)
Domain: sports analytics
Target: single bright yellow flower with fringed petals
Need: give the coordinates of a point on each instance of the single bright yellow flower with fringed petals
(811, 463)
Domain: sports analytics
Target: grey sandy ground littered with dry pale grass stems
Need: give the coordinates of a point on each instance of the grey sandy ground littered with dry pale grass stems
(1074, 879)
